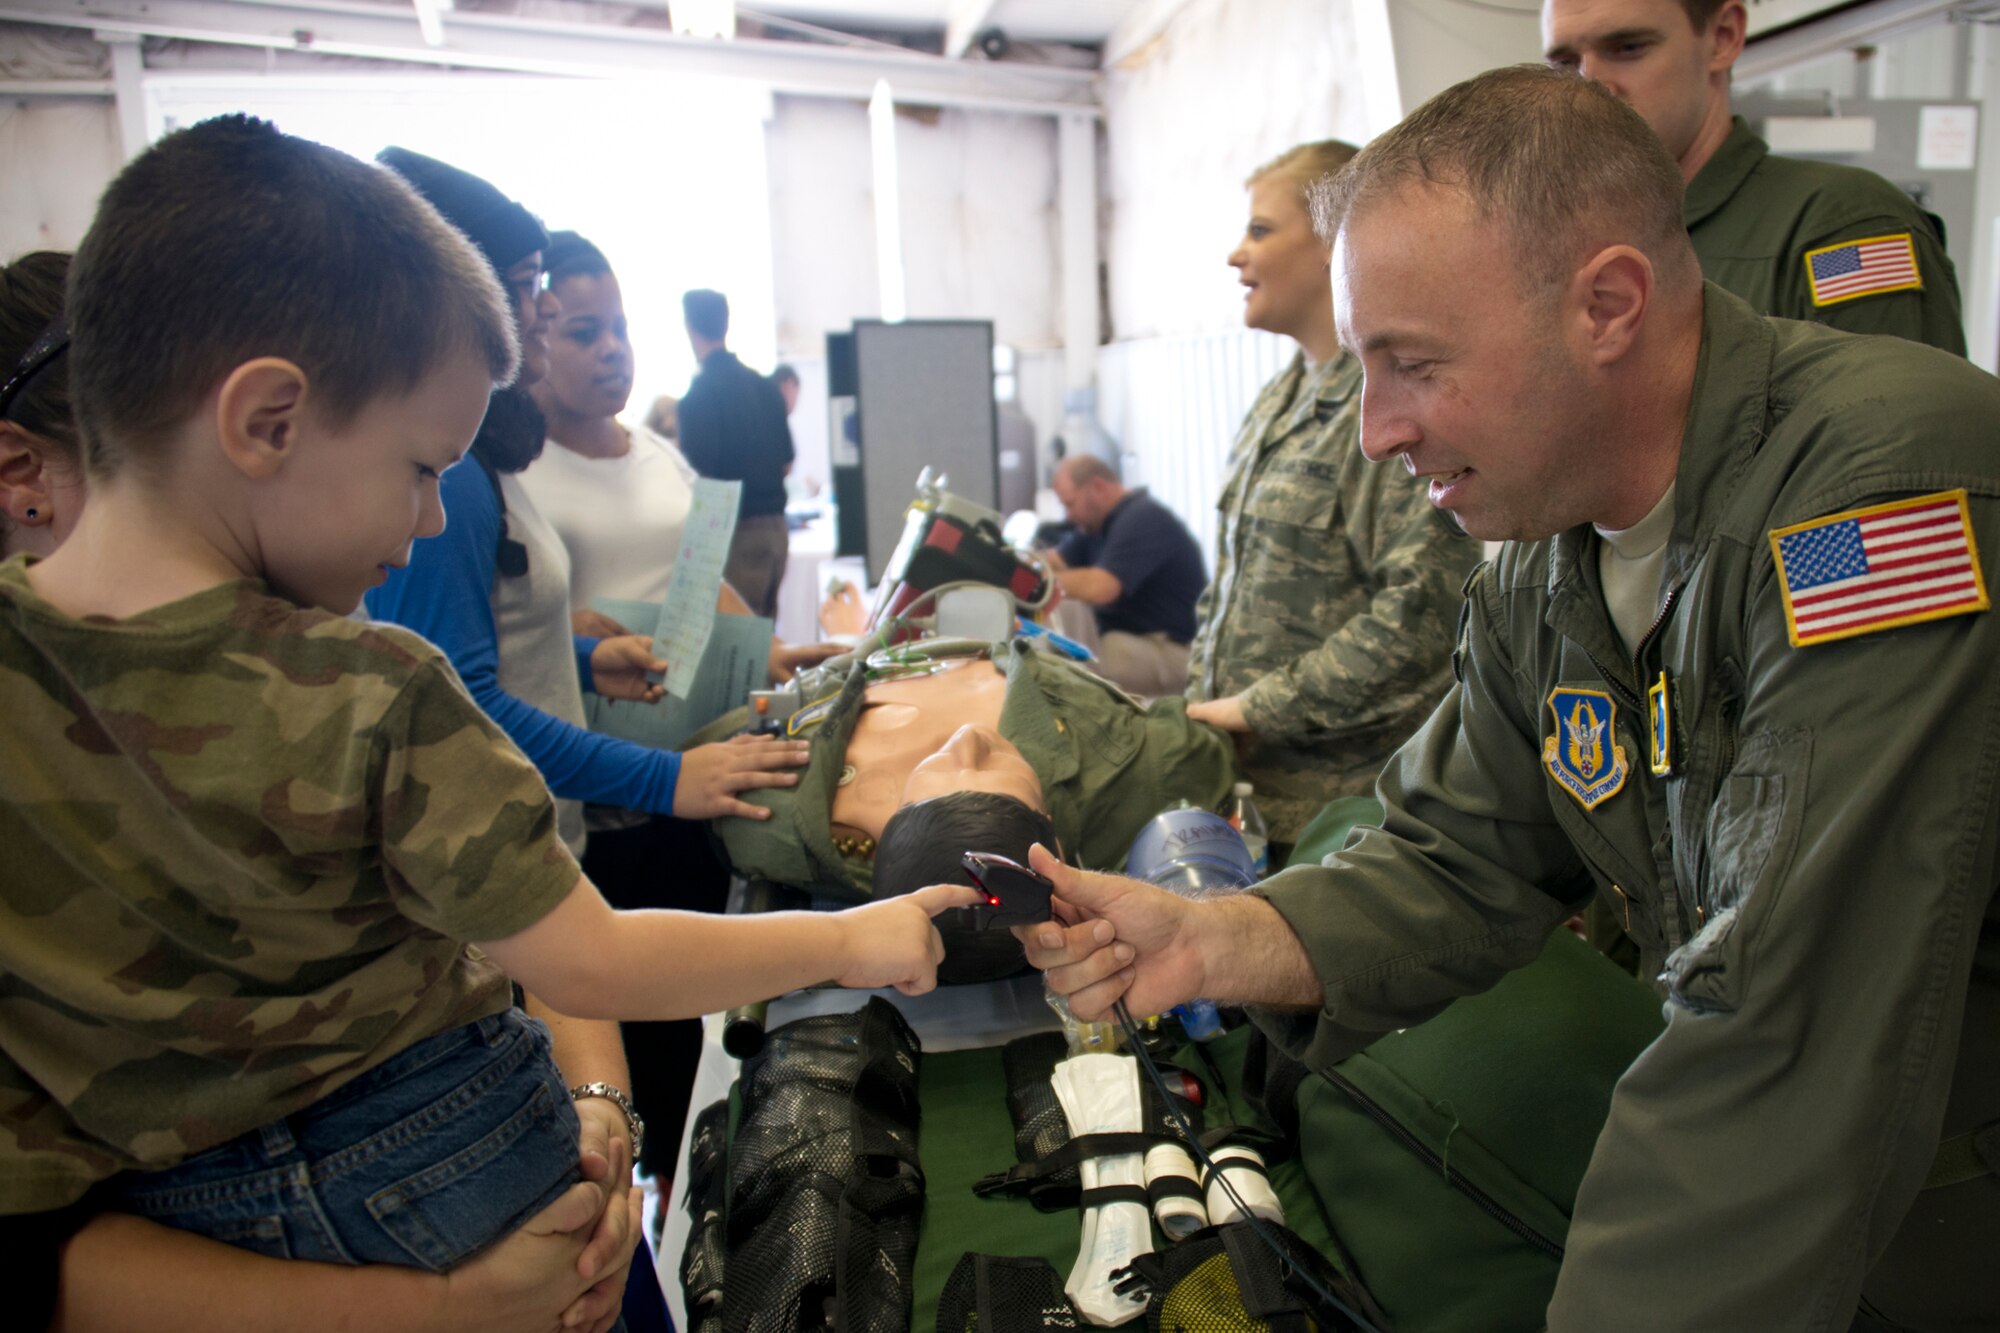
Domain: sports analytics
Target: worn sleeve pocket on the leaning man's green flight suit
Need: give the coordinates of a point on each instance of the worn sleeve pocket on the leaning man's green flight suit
(1749, 844)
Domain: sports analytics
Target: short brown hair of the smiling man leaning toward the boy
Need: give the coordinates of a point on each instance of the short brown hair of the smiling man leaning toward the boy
(1561, 165)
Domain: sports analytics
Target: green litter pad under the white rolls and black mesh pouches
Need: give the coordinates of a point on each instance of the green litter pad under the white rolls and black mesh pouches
(967, 1134)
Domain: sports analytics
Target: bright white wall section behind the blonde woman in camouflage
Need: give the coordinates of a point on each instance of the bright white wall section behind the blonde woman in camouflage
(1223, 89)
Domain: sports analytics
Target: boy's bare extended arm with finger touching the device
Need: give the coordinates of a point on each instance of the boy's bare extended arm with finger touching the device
(589, 962)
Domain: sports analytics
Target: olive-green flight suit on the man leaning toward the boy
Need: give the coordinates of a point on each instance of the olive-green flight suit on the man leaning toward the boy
(1813, 882)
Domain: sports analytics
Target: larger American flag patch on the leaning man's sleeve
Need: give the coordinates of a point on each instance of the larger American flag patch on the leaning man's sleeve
(1879, 567)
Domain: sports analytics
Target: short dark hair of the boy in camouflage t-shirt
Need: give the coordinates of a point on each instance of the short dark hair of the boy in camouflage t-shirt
(231, 241)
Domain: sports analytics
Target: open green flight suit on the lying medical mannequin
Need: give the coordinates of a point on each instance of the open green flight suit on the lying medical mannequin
(1107, 768)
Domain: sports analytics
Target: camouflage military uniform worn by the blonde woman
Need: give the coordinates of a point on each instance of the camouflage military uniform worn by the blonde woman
(1335, 599)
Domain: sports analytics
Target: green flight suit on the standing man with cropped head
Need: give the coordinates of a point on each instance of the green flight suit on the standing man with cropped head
(1755, 219)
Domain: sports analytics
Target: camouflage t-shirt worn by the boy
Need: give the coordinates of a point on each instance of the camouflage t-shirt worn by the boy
(239, 844)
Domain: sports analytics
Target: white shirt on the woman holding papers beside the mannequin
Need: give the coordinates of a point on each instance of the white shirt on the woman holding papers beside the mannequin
(619, 517)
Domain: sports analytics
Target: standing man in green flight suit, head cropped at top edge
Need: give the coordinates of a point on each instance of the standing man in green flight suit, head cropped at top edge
(1805, 241)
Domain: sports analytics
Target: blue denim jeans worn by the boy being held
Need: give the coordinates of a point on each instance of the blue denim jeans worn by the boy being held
(421, 1162)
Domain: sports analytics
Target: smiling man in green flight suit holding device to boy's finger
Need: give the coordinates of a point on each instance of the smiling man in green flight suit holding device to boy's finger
(1775, 750)
